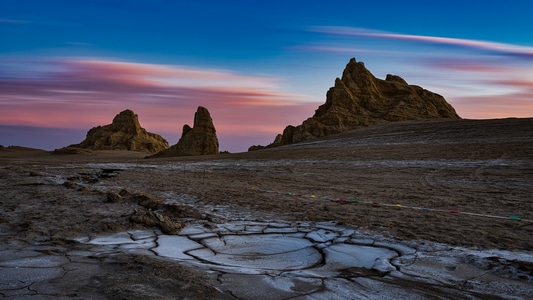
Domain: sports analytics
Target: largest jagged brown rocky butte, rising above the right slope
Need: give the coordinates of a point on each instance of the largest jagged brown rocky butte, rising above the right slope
(359, 99)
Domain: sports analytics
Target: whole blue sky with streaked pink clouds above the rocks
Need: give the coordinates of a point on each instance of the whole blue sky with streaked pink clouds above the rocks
(257, 66)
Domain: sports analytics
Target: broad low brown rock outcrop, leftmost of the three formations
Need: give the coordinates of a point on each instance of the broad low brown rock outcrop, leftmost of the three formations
(125, 133)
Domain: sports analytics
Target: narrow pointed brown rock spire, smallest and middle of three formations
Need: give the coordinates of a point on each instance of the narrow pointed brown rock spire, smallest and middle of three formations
(201, 139)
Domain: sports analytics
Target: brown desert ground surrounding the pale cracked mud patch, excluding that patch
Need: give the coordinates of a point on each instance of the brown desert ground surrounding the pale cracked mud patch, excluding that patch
(461, 183)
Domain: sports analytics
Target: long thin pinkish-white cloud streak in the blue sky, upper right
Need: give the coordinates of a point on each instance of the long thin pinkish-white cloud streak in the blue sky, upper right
(497, 48)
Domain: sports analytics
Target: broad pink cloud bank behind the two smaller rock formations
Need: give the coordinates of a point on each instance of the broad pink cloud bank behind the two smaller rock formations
(74, 93)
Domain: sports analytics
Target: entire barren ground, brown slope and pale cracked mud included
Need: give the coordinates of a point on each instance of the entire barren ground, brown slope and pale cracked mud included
(270, 224)
